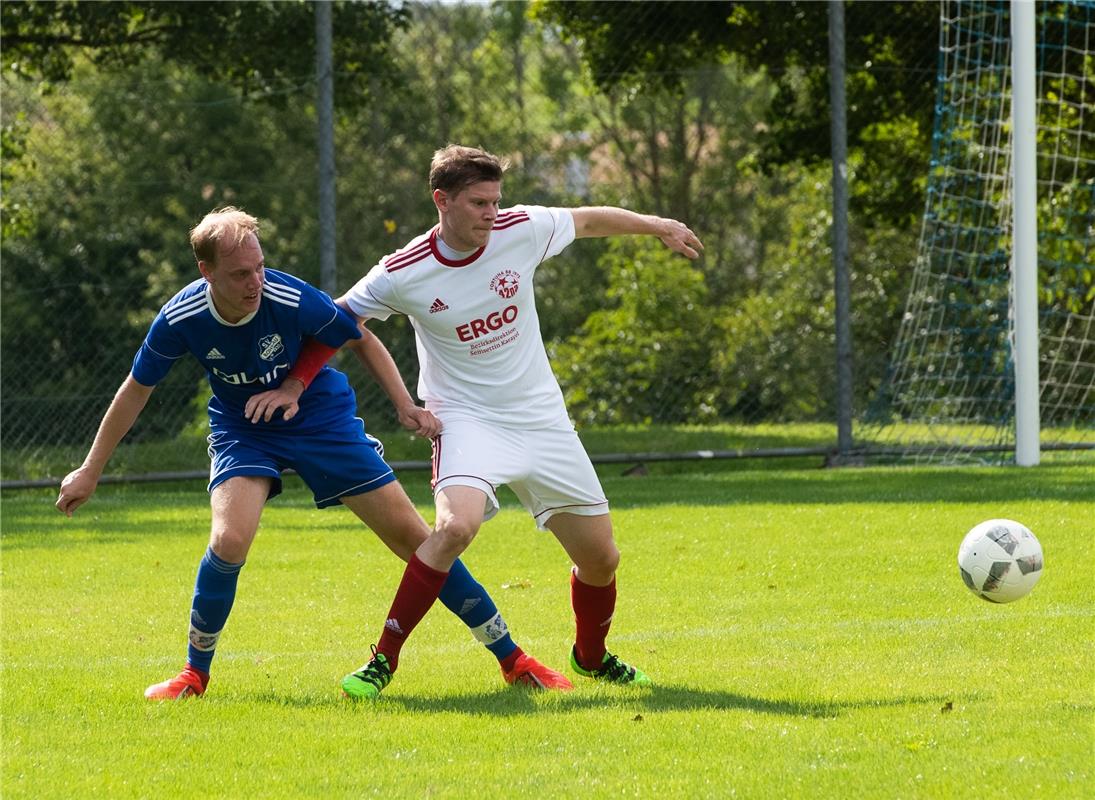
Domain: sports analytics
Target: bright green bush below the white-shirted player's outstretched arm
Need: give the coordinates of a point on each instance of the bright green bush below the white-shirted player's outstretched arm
(636, 360)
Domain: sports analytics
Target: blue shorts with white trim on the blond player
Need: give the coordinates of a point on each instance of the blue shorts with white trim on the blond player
(336, 462)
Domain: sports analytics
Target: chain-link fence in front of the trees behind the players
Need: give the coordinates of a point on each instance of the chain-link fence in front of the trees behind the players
(107, 172)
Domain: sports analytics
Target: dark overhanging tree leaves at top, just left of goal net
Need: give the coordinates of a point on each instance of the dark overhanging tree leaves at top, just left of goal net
(891, 76)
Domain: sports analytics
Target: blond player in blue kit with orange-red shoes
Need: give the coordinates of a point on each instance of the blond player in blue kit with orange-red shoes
(246, 324)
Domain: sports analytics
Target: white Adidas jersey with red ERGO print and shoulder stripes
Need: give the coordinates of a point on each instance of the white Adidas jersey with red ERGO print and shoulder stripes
(480, 351)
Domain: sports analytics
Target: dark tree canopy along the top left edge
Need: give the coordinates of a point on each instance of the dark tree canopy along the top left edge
(261, 48)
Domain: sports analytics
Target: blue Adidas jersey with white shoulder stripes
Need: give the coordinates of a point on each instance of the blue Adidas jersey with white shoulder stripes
(256, 354)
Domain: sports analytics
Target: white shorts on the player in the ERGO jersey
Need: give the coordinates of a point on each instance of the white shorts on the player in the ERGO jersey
(548, 469)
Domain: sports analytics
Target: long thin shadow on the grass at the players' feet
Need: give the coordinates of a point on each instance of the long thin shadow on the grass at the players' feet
(514, 703)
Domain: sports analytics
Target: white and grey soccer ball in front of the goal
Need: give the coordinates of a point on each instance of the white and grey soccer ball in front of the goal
(1000, 561)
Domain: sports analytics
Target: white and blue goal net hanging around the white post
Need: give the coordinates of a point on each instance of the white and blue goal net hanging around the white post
(950, 393)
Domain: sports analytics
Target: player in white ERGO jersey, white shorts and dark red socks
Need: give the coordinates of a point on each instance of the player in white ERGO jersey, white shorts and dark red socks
(468, 288)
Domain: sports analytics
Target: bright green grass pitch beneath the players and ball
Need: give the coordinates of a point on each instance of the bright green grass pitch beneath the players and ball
(808, 630)
